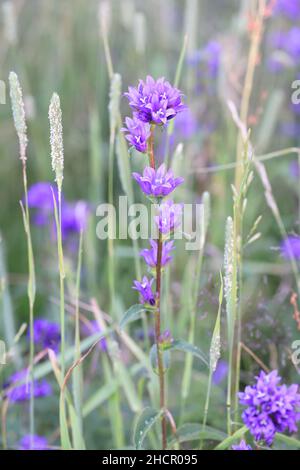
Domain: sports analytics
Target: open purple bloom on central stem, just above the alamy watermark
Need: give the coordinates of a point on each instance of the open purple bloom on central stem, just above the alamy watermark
(157, 183)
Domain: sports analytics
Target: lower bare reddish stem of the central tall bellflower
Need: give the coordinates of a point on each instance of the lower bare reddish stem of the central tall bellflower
(158, 345)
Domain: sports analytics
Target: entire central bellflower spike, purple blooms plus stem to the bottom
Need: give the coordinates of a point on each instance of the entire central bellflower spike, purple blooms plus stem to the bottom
(154, 103)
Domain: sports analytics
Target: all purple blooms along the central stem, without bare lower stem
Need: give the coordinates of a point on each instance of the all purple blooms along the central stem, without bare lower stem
(154, 102)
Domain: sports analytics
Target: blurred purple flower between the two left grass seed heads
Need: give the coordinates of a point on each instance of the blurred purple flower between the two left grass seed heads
(40, 198)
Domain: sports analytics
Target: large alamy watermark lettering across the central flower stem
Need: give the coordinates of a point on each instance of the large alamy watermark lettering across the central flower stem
(137, 221)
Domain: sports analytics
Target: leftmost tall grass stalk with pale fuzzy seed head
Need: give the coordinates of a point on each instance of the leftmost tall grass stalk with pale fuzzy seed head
(21, 128)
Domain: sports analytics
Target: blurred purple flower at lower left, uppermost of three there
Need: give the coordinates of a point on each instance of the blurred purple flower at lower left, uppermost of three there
(46, 334)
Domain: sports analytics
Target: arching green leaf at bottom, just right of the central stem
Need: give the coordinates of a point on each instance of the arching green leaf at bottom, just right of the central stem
(194, 431)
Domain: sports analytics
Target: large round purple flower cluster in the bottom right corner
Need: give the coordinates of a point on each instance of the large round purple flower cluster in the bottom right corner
(271, 407)
